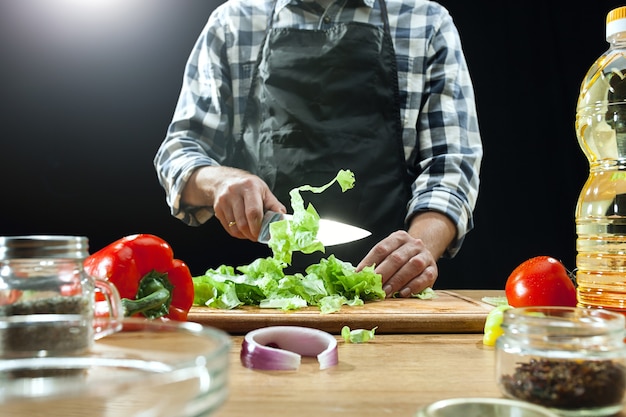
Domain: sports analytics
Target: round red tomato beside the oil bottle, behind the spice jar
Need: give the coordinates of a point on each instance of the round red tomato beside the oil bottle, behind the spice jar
(540, 281)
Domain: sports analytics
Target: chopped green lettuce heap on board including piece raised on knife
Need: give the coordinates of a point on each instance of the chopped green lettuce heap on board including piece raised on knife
(328, 284)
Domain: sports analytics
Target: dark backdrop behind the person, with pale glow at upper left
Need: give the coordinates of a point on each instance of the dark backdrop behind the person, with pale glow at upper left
(88, 88)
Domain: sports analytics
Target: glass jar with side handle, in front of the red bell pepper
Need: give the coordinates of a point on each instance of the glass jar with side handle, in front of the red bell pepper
(47, 301)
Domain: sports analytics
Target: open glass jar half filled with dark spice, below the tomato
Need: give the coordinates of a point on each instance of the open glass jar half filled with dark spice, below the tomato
(569, 359)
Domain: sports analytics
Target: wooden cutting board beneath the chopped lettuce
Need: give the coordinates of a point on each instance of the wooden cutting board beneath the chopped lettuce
(449, 312)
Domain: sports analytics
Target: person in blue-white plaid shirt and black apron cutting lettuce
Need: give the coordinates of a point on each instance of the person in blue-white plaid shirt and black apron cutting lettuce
(281, 93)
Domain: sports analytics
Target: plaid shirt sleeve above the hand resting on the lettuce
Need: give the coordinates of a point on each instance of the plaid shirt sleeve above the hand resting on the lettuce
(447, 158)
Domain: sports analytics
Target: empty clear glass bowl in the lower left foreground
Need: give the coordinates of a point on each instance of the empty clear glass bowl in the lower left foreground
(148, 368)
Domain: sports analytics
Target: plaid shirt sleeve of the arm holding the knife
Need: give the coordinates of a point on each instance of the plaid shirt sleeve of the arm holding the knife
(197, 134)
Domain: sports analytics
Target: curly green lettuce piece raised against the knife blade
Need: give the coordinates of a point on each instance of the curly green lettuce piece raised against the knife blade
(300, 232)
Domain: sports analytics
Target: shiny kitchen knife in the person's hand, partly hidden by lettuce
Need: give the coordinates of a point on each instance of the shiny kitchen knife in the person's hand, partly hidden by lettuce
(330, 232)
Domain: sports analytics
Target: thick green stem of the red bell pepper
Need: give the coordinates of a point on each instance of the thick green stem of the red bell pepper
(154, 297)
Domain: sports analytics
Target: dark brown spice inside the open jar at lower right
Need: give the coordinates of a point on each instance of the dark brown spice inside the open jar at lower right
(567, 384)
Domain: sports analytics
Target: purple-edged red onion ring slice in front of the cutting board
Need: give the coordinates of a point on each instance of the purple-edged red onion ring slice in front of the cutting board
(282, 347)
